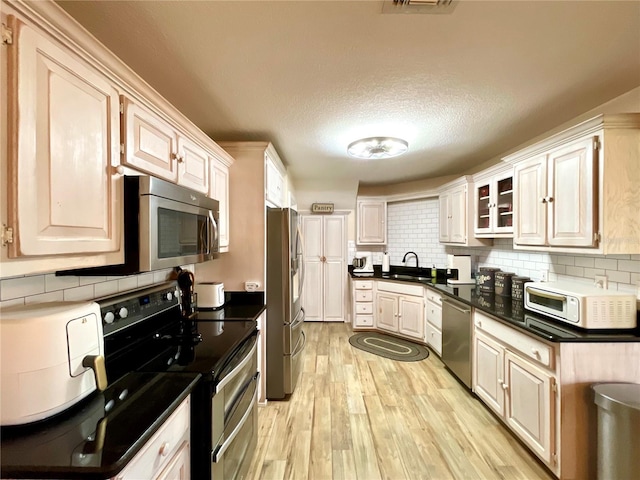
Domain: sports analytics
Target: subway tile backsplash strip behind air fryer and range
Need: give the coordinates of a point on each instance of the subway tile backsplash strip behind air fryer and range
(49, 288)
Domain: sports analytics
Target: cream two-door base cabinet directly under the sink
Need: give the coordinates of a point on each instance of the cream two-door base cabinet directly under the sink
(400, 309)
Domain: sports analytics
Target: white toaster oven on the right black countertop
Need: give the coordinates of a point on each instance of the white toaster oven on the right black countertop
(584, 306)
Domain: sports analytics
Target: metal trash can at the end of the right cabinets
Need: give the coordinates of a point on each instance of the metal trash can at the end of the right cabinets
(618, 430)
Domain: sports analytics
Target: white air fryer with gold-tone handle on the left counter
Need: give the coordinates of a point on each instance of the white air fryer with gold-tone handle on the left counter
(52, 356)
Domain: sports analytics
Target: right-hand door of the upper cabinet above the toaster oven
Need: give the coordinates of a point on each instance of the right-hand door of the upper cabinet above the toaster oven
(572, 200)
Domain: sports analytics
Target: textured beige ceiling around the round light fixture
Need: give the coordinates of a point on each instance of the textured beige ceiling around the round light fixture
(312, 76)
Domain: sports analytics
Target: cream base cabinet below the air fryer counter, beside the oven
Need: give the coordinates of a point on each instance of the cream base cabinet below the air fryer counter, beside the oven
(167, 454)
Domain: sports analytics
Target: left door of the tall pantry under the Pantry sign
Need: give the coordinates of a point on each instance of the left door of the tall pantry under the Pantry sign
(312, 297)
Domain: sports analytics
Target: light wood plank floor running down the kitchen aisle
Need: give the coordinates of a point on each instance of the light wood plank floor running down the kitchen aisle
(355, 415)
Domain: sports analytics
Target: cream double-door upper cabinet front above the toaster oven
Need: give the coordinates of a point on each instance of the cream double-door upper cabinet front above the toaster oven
(556, 197)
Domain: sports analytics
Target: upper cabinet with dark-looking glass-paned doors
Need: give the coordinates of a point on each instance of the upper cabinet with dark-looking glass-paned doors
(493, 202)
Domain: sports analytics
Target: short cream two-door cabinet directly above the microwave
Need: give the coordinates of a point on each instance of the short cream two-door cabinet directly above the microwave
(154, 146)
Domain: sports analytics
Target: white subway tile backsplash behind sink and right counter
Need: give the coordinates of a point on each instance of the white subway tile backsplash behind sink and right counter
(413, 226)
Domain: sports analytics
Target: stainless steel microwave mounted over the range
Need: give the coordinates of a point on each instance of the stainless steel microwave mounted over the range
(165, 226)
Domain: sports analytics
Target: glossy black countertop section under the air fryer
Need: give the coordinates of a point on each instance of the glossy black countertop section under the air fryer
(65, 445)
